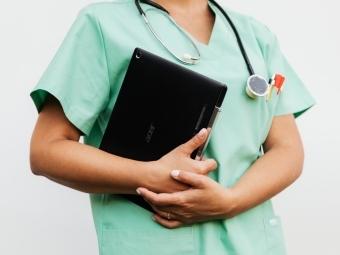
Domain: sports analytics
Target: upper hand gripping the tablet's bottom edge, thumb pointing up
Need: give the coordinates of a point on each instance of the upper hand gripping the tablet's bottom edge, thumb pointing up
(179, 158)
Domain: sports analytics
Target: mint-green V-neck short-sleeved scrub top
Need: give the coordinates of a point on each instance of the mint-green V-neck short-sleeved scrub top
(86, 74)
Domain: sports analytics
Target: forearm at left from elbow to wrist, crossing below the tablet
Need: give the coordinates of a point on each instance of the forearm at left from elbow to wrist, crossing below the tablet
(88, 169)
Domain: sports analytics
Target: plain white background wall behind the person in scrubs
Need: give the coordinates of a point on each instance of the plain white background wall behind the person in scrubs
(40, 217)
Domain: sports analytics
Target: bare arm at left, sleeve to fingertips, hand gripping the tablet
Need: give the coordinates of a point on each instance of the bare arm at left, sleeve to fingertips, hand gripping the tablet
(56, 154)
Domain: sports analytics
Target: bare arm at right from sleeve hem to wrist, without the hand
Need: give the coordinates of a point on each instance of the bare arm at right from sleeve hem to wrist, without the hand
(280, 166)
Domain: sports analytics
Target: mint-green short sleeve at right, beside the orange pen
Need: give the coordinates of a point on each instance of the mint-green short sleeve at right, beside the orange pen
(295, 97)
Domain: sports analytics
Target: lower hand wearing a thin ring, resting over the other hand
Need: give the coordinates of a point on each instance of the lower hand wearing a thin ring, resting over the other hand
(205, 200)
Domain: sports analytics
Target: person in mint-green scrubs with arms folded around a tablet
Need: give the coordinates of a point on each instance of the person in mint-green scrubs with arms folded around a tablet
(220, 205)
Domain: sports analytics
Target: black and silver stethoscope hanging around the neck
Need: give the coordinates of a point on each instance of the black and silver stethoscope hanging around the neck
(257, 86)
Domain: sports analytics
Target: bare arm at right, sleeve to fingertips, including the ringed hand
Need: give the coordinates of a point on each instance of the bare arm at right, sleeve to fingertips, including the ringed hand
(280, 166)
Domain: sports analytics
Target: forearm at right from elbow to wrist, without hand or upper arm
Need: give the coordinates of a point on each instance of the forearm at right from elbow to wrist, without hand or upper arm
(268, 176)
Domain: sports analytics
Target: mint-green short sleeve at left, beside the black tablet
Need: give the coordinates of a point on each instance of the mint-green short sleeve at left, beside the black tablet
(78, 73)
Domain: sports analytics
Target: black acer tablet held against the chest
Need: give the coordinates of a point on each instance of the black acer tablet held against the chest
(160, 105)
